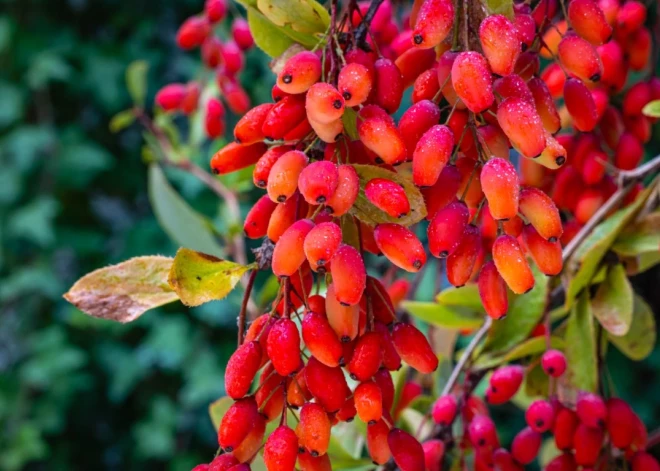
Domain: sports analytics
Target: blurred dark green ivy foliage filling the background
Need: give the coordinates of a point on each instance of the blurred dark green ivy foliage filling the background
(78, 393)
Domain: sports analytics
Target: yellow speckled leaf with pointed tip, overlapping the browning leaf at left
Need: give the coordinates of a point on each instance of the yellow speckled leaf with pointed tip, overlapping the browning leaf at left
(199, 278)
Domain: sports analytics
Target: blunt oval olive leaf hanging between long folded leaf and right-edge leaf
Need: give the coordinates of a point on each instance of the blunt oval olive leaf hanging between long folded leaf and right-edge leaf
(613, 303)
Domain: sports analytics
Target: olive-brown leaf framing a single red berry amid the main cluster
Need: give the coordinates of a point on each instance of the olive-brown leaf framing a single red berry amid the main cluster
(366, 212)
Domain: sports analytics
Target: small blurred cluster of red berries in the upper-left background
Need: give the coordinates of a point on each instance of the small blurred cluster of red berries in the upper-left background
(226, 58)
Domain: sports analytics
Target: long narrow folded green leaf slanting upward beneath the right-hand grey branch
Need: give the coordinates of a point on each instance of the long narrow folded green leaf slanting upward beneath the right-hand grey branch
(584, 263)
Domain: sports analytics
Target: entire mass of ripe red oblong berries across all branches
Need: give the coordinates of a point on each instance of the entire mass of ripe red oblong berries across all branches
(344, 179)
